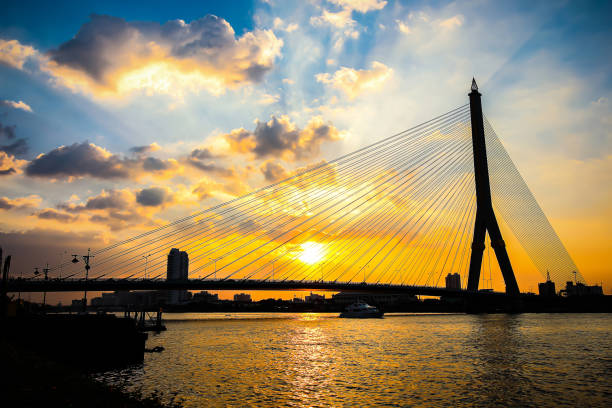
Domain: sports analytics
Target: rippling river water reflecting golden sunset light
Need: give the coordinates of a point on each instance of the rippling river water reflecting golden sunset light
(319, 360)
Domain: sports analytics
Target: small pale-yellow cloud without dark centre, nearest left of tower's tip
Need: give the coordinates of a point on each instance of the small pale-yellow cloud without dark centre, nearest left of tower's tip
(353, 82)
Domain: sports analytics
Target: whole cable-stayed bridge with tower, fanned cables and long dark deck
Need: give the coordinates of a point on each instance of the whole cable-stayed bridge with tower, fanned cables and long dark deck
(395, 216)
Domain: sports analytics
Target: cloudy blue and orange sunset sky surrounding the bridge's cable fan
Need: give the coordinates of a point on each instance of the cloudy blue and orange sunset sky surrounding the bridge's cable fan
(119, 117)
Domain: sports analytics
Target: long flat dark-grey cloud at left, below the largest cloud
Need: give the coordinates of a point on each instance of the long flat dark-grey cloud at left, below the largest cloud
(87, 159)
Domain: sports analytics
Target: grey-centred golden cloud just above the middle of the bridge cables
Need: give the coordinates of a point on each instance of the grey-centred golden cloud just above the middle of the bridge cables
(280, 137)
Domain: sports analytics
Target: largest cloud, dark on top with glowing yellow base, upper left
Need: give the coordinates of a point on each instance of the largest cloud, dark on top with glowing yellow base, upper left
(112, 57)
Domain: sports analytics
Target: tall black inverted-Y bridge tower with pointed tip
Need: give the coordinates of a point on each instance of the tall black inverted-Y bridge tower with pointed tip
(485, 216)
